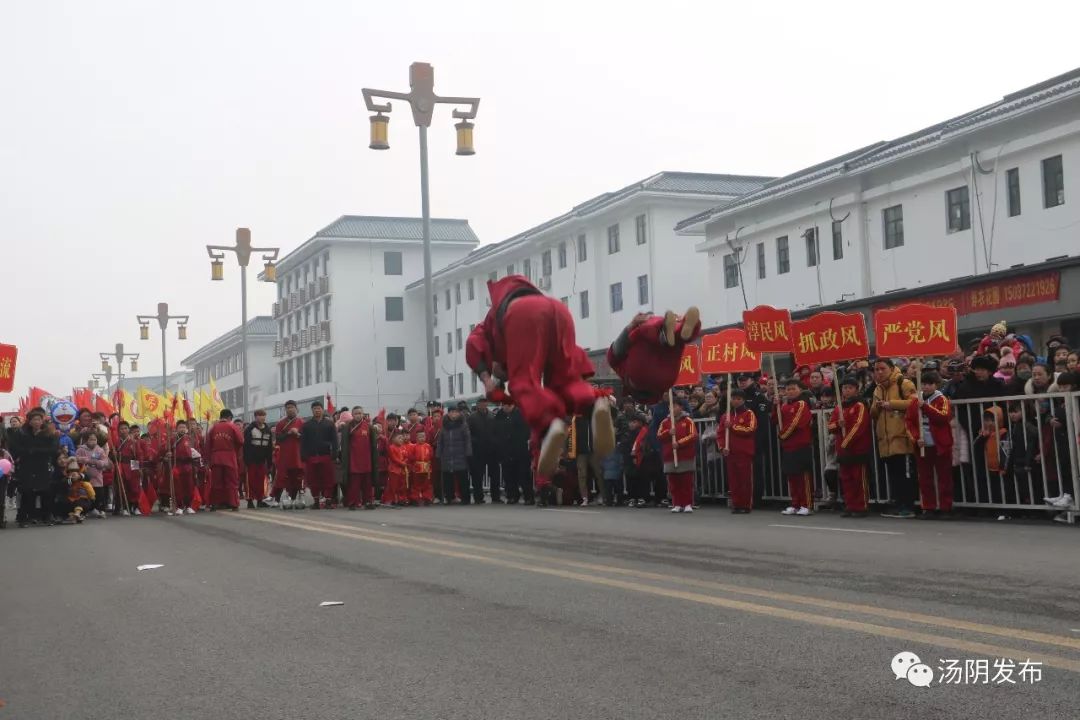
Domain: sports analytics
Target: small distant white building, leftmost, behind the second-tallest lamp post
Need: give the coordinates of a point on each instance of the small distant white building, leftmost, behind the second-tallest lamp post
(224, 361)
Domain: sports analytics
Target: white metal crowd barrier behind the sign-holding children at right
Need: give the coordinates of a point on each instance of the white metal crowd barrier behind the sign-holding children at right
(1054, 467)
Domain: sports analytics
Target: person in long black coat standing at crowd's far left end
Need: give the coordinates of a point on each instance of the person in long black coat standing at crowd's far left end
(36, 449)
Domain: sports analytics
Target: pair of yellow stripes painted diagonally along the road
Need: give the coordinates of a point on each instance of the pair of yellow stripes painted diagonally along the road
(798, 616)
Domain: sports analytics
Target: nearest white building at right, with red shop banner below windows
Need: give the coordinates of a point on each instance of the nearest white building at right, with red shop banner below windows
(976, 206)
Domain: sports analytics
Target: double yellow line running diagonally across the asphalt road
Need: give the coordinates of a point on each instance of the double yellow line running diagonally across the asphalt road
(454, 550)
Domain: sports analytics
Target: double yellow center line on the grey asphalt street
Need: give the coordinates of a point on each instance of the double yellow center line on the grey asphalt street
(624, 579)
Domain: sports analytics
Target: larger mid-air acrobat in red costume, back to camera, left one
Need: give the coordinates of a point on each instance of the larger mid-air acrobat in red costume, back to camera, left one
(529, 339)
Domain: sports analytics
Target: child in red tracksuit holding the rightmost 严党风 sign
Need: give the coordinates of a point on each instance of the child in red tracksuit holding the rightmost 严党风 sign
(935, 441)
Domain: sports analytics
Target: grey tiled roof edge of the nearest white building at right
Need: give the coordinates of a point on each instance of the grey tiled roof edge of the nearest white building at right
(1047, 92)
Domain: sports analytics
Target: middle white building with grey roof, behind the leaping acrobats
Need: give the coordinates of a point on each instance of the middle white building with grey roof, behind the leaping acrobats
(610, 259)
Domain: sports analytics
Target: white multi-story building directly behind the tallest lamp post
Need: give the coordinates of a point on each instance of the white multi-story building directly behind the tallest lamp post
(345, 324)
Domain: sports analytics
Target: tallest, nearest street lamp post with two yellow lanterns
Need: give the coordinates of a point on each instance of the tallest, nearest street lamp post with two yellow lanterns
(422, 98)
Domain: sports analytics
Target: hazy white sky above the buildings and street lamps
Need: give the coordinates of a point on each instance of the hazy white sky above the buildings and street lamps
(133, 133)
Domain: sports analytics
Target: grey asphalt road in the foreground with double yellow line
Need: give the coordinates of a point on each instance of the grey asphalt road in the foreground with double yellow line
(514, 613)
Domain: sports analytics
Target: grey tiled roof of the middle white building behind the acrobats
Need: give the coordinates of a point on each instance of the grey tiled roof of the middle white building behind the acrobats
(667, 183)
